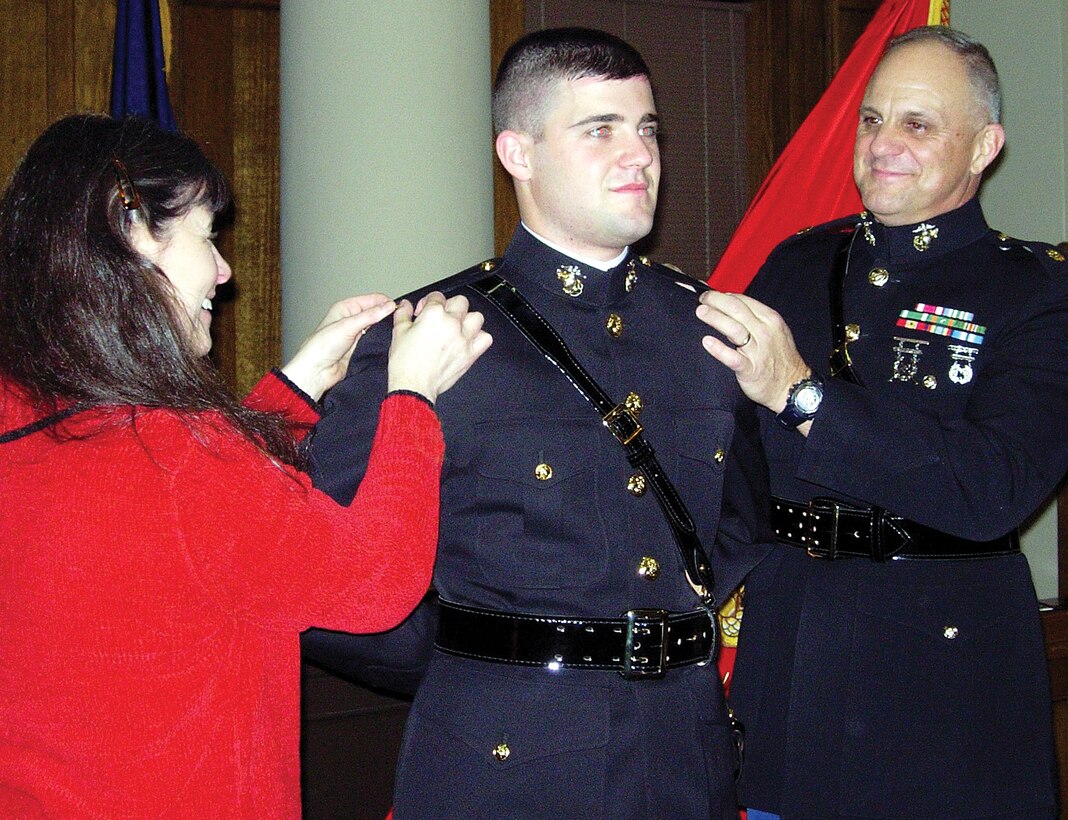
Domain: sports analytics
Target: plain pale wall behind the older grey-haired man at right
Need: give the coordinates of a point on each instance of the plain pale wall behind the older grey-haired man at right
(1026, 197)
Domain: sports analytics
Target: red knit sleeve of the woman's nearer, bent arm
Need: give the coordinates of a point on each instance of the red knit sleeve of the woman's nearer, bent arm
(270, 548)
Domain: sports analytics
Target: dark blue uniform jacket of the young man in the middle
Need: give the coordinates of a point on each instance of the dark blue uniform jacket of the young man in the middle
(583, 744)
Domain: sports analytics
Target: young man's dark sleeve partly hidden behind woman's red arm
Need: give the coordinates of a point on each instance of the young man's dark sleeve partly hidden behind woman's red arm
(395, 660)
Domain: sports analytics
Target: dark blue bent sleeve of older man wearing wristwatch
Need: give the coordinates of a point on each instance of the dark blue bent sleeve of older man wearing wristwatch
(985, 471)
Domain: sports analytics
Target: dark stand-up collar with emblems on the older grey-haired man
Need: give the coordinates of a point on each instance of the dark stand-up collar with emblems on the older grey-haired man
(923, 242)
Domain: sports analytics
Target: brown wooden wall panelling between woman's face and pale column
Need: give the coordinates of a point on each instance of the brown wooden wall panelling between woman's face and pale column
(225, 87)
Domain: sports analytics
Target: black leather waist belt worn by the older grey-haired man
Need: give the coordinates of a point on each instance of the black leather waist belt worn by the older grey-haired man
(829, 529)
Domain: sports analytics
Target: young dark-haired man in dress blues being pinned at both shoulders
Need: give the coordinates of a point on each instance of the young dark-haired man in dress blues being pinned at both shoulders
(572, 674)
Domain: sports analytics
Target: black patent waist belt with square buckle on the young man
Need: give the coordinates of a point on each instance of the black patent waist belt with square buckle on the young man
(641, 644)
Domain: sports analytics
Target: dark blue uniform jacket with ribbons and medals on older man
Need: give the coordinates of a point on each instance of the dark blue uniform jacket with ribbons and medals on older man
(912, 689)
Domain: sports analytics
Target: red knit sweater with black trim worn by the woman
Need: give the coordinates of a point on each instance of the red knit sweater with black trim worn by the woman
(153, 585)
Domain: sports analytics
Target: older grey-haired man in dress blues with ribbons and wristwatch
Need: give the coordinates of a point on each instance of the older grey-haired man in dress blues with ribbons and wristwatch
(891, 660)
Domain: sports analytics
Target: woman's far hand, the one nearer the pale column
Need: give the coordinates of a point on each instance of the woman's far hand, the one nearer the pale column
(323, 360)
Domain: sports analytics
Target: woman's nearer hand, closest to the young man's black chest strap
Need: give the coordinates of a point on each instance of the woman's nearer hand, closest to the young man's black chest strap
(434, 344)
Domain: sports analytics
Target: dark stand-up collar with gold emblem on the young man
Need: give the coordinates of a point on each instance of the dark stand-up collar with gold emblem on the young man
(530, 259)
